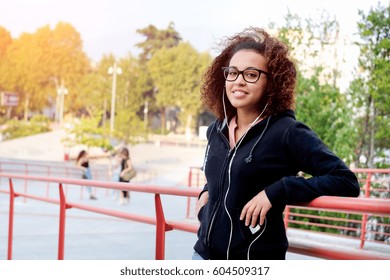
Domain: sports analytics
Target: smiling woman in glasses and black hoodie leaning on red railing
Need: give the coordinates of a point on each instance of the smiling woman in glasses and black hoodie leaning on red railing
(256, 148)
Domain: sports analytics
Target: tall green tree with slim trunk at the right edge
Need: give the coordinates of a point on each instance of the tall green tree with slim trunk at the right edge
(370, 90)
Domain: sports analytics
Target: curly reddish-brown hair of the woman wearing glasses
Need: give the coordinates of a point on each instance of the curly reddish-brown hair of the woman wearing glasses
(280, 89)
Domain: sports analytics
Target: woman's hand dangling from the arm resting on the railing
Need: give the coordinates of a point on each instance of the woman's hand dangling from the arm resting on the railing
(257, 206)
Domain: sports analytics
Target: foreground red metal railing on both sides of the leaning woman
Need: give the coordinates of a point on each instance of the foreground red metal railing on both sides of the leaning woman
(359, 205)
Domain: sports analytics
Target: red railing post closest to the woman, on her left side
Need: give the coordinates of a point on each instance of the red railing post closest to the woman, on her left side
(161, 228)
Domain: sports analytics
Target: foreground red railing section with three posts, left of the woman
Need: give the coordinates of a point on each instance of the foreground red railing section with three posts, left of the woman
(161, 224)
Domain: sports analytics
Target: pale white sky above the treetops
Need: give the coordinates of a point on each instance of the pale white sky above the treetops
(109, 26)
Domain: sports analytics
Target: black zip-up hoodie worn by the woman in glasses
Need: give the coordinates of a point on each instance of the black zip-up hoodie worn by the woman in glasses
(269, 158)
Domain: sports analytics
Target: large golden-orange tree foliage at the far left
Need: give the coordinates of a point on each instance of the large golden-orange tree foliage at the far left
(34, 66)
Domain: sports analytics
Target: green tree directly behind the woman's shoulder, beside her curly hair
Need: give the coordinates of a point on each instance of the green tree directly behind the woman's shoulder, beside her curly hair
(320, 104)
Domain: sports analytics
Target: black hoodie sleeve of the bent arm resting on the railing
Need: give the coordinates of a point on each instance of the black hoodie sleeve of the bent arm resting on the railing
(329, 174)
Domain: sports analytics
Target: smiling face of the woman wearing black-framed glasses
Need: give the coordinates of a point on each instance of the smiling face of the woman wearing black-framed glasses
(245, 96)
